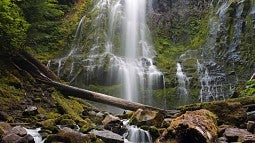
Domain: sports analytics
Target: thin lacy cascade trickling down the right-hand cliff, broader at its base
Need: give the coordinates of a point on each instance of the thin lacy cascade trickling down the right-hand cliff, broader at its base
(211, 74)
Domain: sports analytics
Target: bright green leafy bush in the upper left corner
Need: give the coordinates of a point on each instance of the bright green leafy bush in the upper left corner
(13, 26)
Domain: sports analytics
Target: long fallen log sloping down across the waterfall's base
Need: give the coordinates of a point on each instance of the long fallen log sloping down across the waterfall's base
(27, 63)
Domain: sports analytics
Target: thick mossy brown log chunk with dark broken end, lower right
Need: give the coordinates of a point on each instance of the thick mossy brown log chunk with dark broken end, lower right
(195, 127)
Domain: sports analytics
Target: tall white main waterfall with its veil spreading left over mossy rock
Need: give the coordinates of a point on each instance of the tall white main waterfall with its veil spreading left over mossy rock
(121, 52)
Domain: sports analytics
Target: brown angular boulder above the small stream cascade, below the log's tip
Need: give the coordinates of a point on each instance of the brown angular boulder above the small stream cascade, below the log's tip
(147, 117)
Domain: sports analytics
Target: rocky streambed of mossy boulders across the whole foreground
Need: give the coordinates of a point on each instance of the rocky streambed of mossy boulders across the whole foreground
(219, 122)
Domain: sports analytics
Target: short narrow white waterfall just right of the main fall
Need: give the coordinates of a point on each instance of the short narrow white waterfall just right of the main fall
(182, 81)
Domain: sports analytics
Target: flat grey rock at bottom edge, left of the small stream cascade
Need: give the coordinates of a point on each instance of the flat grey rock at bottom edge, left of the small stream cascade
(108, 136)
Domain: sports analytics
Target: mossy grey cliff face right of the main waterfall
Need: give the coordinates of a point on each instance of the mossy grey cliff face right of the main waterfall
(212, 41)
